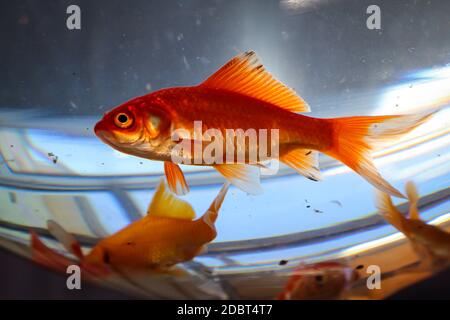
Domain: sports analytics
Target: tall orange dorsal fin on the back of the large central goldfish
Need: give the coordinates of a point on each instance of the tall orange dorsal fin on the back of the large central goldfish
(246, 75)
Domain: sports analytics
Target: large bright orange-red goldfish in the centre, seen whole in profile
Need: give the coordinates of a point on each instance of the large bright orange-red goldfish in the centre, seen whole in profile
(243, 95)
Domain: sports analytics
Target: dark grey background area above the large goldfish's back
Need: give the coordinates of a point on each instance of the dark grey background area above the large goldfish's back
(126, 48)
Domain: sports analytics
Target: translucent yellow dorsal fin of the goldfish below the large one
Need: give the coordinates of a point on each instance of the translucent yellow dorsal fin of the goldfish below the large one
(165, 204)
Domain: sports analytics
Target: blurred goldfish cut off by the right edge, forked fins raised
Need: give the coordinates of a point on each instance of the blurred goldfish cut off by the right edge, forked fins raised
(431, 243)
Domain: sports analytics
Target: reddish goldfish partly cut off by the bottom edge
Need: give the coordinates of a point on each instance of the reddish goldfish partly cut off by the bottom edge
(325, 280)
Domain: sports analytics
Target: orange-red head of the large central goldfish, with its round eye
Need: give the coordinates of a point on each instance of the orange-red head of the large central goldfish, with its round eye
(137, 127)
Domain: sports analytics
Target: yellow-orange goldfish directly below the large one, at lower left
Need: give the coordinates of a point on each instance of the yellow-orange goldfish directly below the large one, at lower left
(166, 236)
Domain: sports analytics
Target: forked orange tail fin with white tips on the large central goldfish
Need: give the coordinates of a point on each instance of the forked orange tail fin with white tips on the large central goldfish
(356, 137)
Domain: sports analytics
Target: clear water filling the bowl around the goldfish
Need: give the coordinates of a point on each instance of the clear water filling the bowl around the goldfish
(59, 82)
